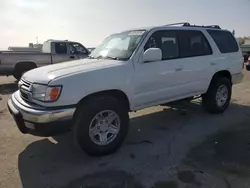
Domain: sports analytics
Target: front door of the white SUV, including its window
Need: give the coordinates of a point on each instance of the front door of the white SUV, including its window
(160, 80)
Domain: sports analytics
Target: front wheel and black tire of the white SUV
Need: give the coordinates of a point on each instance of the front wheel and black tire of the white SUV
(101, 125)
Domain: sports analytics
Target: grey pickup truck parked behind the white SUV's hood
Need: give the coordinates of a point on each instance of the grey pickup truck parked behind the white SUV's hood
(53, 51)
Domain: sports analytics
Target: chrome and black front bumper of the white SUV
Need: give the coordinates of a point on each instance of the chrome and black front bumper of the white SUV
(40, 120)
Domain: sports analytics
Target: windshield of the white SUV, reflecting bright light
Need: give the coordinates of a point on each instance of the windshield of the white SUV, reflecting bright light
(118, 46)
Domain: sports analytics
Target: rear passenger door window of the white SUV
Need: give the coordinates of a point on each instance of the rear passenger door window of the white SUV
(193, 43)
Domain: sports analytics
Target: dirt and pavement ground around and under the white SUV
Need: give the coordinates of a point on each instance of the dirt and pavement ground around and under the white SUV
(181, 146)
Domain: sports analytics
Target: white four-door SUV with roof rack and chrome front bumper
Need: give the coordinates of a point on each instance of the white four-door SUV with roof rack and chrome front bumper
(129, 71)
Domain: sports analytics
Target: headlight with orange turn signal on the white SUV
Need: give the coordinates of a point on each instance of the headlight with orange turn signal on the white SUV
(45, 93)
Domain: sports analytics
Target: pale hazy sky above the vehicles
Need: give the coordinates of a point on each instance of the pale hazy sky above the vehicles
(90, 21)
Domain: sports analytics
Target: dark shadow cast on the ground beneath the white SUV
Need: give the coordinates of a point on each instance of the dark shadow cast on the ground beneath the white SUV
(56, 162)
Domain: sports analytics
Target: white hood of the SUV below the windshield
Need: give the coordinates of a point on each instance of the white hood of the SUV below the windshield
(45, 74)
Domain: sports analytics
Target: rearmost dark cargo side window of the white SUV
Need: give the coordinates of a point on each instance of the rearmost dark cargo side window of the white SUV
(224, 40)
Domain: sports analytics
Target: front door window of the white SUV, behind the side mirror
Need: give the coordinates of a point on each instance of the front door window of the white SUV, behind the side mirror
(166, 41)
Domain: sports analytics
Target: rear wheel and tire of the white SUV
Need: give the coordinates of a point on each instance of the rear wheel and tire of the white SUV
(218, 96)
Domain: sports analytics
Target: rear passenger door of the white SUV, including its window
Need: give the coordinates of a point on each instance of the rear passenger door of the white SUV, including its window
(196, 56)
